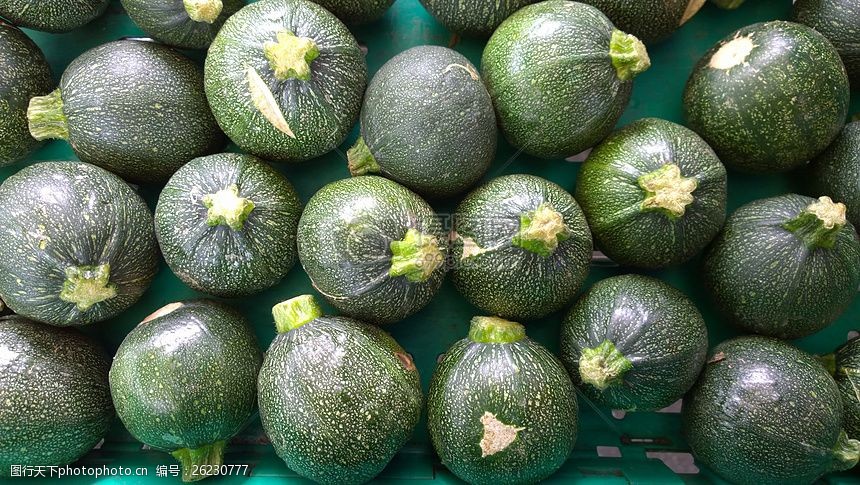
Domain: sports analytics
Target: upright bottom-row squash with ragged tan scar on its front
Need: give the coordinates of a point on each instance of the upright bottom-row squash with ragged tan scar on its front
(501, 408)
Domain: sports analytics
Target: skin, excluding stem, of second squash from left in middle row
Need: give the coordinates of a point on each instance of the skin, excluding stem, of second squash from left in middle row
(218, 259)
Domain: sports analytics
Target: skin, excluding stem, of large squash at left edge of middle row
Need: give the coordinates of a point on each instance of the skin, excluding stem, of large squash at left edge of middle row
(61, 214)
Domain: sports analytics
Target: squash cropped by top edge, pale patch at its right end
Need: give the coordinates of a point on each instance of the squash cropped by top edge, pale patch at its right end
(648, 20)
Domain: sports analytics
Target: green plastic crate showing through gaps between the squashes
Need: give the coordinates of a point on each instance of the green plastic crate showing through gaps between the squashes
(630, 446)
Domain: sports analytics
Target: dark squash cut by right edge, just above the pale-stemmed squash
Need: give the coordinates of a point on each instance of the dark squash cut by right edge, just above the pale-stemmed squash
(836, 172)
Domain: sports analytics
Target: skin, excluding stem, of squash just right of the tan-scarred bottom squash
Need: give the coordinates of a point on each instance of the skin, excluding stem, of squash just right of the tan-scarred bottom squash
(656, 327)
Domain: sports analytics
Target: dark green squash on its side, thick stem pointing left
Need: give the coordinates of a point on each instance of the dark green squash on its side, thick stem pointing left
(133, 107)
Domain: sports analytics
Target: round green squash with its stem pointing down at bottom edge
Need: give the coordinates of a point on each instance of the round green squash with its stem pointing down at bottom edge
(184, 381)
